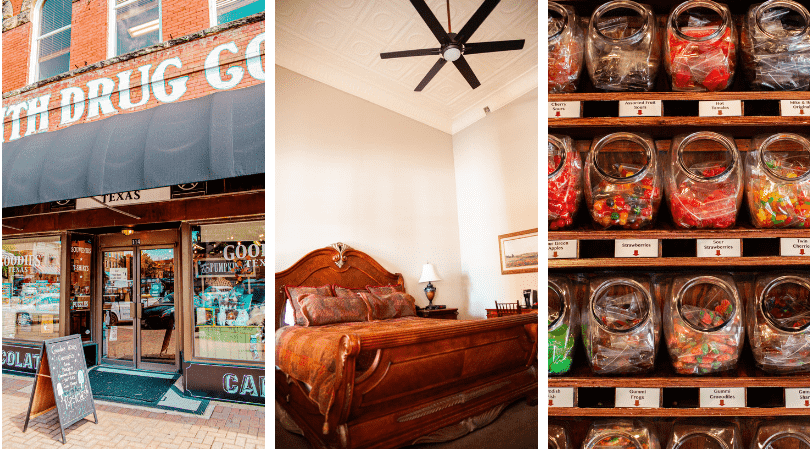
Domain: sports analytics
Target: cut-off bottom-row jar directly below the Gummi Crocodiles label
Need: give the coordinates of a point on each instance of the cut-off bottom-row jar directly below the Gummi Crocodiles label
(696, 433)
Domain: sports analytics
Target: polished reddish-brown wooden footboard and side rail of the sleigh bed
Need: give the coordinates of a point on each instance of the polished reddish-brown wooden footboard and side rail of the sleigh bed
(419, 382)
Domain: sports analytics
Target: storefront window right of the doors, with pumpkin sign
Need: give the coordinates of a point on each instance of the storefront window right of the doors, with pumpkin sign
(229, 291)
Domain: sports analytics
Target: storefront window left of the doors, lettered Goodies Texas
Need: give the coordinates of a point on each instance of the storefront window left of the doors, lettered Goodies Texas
(31, 288)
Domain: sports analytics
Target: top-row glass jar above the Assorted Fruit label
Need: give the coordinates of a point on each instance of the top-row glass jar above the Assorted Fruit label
(623, 47)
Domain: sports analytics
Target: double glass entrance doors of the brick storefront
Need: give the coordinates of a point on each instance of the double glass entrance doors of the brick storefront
(138, 307)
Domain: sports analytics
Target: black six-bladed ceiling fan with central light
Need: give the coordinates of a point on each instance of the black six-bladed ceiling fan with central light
(454, 45)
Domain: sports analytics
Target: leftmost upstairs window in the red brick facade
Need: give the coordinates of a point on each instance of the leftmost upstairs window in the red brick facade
(53, 40)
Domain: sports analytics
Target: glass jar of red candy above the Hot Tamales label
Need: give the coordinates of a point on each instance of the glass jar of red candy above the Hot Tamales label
(701, 46)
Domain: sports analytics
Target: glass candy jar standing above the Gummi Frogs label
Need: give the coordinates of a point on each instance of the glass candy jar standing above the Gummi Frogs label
(620, 325)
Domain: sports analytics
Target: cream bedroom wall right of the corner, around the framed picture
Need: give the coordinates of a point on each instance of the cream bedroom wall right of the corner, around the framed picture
(496, 180)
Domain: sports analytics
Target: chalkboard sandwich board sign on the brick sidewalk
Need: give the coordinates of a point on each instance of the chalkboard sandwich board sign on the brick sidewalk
(62, 382)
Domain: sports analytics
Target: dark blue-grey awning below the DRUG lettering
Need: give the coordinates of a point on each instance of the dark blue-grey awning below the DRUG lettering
(209, 138)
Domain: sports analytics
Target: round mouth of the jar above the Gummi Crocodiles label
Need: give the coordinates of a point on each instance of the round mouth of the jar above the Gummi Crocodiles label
(707, 303)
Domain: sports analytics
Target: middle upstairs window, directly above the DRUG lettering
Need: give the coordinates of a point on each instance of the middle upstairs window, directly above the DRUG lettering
(137, 25)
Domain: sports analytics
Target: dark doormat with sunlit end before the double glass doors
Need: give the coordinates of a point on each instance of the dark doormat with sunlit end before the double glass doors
(143, 388)
